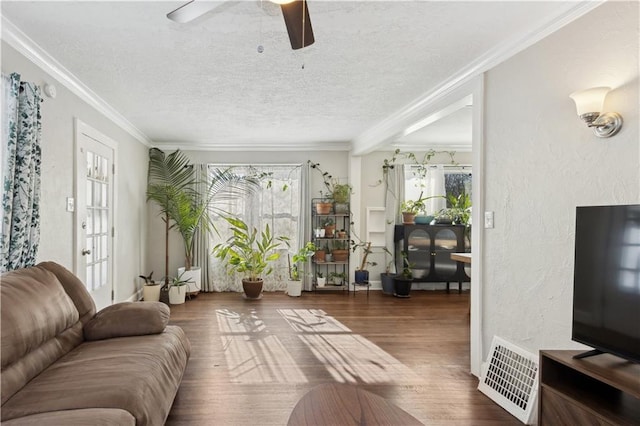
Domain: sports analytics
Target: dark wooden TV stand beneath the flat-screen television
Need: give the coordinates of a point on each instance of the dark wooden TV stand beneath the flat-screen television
(599, 390)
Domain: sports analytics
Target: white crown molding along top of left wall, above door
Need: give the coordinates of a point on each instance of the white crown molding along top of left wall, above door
(15, 38)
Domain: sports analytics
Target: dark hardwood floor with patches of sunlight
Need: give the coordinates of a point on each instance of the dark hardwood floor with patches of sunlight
(251, 361)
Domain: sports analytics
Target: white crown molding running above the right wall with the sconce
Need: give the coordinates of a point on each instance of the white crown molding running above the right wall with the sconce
(385, 131)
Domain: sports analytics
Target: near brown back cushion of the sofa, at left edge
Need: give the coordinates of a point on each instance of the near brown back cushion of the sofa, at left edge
(39, 325)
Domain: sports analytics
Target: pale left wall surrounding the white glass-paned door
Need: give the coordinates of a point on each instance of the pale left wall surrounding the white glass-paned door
(57, 225)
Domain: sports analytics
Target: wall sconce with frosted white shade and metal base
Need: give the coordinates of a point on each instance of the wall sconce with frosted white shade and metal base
(589, 104)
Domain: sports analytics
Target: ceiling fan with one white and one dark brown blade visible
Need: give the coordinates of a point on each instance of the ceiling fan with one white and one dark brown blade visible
(295, 12)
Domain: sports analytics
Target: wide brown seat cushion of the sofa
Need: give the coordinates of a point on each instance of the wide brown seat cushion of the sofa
(139, 374)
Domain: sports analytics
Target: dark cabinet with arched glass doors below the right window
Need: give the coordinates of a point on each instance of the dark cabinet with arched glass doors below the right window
(429, 249)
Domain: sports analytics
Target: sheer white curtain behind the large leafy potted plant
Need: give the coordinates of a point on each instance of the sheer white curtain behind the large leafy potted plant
(278, 203)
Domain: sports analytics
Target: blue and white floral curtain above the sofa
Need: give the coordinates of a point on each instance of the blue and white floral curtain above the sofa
(21, 135)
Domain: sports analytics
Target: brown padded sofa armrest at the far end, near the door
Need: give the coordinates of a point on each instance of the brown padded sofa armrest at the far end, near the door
(128, 319)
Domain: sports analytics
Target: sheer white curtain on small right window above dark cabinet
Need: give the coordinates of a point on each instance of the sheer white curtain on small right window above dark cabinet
(429, 182)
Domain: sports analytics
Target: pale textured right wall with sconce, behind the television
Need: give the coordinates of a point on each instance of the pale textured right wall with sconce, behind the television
(542, 162)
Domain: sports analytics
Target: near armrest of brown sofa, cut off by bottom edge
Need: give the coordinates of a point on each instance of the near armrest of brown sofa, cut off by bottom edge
(84, 417)
